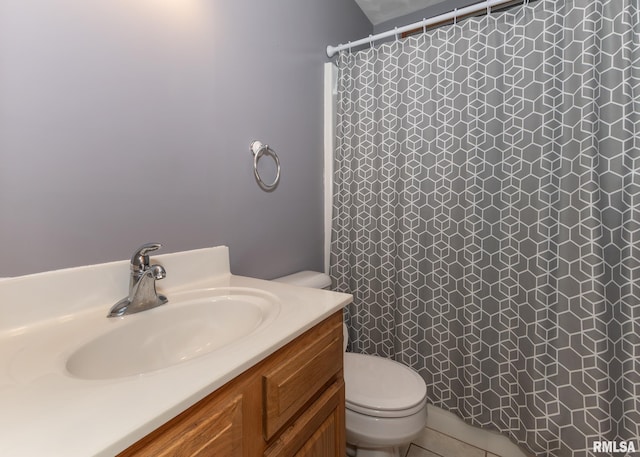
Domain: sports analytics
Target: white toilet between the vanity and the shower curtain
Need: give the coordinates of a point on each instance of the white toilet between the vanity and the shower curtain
(386, 401)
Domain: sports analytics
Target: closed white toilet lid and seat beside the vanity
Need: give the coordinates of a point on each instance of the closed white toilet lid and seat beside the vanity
(381, 387)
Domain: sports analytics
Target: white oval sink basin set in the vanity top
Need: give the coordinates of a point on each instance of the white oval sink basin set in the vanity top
(191, 325)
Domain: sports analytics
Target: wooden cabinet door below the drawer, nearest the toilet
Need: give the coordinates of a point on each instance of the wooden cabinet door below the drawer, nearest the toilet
(318, 432)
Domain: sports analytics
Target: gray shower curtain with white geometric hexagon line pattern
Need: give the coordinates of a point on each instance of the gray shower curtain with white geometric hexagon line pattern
(487, 217)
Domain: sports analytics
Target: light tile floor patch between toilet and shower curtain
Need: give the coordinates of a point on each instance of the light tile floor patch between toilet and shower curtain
(436, 444)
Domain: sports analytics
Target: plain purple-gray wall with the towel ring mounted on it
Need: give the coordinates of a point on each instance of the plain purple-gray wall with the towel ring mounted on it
(123, 122)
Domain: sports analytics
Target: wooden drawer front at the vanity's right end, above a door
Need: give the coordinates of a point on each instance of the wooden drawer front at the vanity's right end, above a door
(301, 374)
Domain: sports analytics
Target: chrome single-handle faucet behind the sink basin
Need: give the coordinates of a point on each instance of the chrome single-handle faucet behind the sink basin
(142, 284)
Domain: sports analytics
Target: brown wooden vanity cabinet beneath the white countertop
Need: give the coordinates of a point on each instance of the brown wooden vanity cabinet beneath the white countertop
(289, 405)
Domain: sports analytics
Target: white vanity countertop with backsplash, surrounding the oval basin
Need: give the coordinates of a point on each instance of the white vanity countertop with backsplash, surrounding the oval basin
(44, 411)
